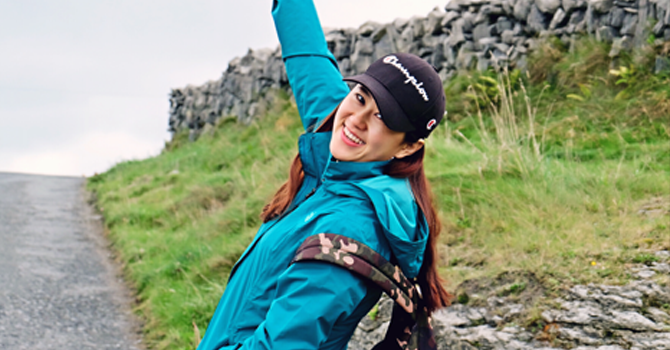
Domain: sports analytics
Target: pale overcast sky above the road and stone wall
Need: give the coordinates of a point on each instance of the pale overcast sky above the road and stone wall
(84, 83)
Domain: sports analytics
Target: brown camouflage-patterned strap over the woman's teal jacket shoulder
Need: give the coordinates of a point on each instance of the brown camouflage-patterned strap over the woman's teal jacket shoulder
(410, 327)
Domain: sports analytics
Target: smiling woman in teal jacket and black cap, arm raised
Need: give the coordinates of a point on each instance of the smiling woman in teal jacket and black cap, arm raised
(359, 173)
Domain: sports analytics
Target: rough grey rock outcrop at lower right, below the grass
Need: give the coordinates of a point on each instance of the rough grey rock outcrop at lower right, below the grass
(585, 317)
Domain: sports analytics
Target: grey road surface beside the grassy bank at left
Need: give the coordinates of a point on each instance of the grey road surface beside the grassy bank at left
(58, 286)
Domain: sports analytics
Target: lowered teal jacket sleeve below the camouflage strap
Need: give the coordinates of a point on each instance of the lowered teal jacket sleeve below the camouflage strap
(311, 297)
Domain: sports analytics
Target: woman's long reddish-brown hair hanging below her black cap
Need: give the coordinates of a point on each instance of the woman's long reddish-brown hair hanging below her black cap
(410, 167)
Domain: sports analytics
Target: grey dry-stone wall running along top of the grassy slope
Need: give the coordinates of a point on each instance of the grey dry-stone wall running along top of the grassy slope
(466, 34)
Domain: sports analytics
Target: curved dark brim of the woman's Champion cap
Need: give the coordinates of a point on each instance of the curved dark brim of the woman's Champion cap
(392, 114)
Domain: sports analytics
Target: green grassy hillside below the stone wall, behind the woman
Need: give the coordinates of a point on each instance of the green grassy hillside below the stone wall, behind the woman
(563, 172)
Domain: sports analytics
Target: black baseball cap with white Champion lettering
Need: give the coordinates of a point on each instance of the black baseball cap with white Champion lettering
(408, 92)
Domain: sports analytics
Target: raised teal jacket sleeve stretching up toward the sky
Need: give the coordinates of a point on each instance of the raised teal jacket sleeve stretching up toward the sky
(311, 69)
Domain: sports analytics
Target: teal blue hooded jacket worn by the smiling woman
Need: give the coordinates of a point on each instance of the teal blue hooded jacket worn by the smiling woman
(269, 304)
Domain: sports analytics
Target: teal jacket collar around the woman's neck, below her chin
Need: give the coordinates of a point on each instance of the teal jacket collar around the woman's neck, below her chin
(318, 162)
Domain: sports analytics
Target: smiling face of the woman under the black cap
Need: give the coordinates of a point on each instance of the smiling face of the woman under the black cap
(360, 135)
